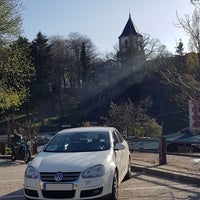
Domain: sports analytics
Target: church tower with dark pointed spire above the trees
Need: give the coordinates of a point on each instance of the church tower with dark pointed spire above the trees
(130, 44)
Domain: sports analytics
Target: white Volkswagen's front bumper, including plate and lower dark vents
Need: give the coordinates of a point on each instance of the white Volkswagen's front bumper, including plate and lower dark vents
(82, 189)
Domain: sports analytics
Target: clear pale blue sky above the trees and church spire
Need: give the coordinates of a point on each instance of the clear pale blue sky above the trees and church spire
(103, 20)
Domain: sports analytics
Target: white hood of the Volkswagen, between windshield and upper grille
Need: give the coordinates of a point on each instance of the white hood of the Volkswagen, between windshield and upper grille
(78, 161)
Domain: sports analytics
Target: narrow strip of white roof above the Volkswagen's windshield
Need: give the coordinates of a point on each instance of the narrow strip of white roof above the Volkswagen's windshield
(87, 129)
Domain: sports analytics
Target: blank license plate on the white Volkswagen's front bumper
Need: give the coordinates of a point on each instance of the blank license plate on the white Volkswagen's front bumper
(57, 186)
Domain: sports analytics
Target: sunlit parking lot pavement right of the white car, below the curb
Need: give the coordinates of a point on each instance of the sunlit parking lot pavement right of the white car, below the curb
(145, 187)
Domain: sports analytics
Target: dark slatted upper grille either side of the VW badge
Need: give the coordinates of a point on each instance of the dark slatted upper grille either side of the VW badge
(67, 176)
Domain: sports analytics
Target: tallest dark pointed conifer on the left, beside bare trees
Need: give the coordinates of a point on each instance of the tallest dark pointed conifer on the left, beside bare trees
(41, 86)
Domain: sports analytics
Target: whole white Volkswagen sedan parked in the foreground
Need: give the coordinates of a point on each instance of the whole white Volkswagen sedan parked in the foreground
(79, 163)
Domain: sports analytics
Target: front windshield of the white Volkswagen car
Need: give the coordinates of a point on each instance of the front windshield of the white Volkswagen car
(79, 142)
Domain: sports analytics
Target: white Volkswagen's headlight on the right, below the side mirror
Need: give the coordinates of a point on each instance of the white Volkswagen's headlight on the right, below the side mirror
(93, 172)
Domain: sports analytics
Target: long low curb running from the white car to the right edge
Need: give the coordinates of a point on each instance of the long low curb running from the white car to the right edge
(164, 173)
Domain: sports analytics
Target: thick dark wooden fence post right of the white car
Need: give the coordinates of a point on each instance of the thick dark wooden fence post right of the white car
(162, 150)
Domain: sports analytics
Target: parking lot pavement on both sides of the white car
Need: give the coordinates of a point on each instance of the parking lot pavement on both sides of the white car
(139, 187)
